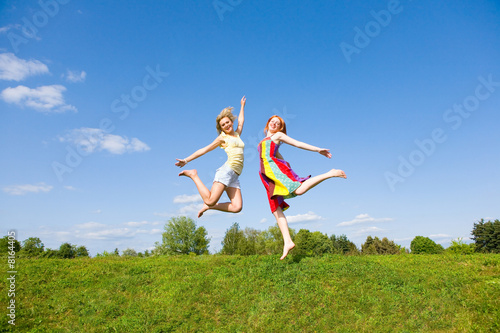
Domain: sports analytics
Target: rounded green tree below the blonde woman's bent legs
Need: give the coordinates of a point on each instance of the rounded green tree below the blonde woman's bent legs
(182, 237)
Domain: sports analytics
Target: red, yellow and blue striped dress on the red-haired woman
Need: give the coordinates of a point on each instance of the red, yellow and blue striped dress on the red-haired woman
(278, 178)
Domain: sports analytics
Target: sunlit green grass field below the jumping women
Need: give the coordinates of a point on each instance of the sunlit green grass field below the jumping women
(398, 293)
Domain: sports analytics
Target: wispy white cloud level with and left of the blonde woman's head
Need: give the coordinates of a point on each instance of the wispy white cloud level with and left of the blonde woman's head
(95, 139)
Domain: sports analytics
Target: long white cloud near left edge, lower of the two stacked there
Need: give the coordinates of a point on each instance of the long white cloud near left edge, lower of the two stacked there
(45, 99)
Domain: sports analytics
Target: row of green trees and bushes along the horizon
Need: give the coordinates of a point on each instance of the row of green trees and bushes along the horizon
(182, 236)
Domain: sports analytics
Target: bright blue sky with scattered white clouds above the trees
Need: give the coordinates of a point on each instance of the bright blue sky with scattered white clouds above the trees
(98, 99)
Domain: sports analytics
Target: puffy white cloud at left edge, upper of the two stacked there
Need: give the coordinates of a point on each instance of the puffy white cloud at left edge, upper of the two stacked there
(14, 69)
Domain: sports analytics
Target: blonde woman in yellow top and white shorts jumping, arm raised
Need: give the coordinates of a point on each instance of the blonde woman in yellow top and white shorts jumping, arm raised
(226, 177)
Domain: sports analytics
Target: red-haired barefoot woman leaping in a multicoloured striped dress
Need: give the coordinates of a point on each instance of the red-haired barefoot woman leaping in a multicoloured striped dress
(279, 179)
